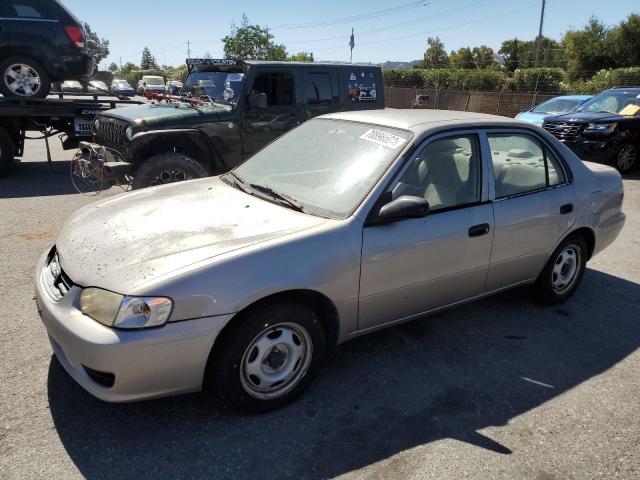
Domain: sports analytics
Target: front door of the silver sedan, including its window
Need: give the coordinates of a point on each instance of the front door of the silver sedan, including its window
(417, 265)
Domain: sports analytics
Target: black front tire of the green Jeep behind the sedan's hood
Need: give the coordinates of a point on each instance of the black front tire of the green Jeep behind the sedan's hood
(167, 167)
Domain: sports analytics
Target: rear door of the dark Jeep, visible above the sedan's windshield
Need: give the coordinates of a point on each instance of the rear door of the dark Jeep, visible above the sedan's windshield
(320, 92)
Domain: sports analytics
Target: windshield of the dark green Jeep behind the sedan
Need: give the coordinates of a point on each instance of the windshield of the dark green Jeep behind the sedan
(221, 86)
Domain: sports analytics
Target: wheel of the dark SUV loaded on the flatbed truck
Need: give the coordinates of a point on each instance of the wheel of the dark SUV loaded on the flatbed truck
(23, 77)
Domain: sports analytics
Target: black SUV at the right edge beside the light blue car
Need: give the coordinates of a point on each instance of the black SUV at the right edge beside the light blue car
(605, 128)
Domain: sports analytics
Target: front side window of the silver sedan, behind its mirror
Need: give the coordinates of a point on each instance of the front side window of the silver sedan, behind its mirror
(446, 173)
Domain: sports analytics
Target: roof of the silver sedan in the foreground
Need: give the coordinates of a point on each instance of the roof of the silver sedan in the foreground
(420, 120)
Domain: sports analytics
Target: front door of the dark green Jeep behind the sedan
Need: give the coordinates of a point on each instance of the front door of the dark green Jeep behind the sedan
(261, 126)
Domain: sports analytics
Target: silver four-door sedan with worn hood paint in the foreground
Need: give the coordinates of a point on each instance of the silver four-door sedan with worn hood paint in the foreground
(350, 223)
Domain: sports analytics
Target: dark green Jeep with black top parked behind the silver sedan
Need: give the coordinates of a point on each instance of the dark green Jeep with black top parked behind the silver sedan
(228, 110)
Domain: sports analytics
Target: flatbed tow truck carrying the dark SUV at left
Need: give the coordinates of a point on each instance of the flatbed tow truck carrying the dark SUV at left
(68, 116)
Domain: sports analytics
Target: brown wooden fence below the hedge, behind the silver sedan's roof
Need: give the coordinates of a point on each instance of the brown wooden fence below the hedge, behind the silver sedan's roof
(507, 104)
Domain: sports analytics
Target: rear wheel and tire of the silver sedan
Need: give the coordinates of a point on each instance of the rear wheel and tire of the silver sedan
(549, 285)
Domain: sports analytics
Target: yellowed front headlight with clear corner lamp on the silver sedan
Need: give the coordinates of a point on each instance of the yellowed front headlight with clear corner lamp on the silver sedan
(114, 310)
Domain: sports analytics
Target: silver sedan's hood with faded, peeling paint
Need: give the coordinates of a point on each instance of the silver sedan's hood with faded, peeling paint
(126, 241)
